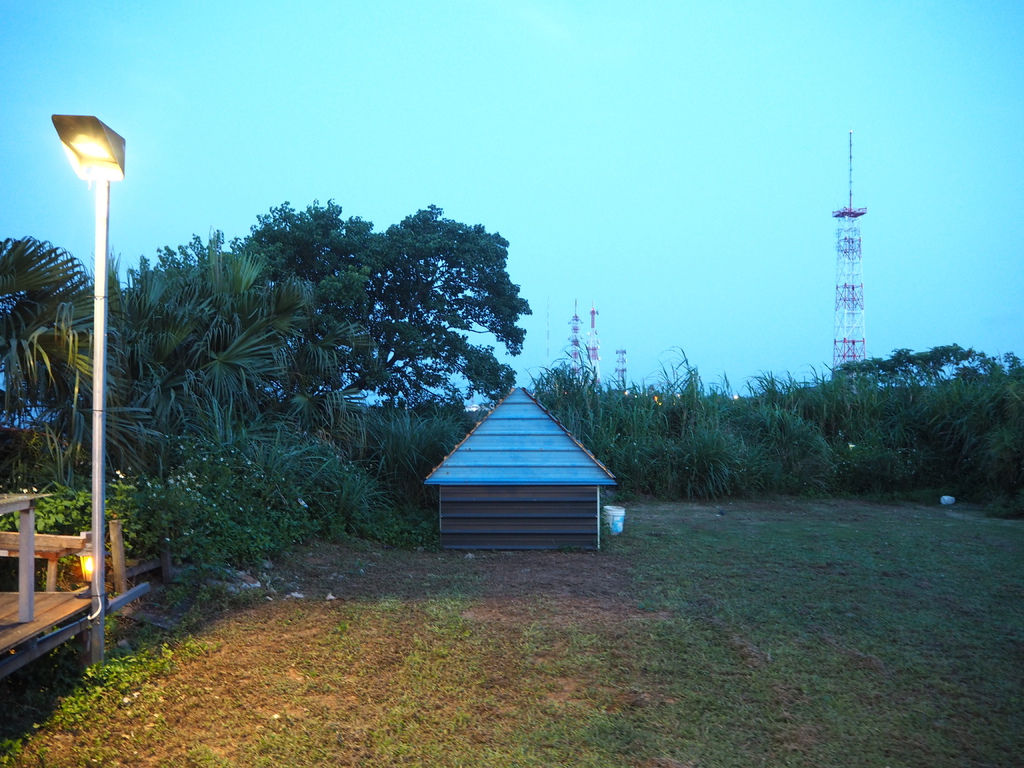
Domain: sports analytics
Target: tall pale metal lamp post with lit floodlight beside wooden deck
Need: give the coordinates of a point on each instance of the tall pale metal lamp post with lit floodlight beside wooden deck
(98, 155)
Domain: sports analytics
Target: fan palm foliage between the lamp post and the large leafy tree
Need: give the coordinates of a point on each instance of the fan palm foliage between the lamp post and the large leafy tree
(205, 343)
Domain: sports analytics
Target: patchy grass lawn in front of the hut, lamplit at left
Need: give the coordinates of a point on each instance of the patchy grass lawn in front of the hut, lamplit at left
(770, 633)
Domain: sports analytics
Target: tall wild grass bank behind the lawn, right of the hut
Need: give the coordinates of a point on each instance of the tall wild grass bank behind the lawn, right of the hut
(848, 434)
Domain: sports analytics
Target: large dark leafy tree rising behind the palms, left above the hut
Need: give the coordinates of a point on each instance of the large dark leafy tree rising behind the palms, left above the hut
(430, 292)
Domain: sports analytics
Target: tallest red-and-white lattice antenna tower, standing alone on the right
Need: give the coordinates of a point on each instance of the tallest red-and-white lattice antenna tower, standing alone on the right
(850, 344)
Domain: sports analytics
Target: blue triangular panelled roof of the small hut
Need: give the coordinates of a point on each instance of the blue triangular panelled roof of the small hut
(521, 444)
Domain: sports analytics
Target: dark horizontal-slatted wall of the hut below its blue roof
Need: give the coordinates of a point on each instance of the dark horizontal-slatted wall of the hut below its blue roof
(519, 517)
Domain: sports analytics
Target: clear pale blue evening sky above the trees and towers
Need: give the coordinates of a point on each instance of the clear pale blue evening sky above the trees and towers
(674, 164)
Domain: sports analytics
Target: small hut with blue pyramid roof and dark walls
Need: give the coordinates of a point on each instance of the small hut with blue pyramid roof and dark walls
(520, 481)
